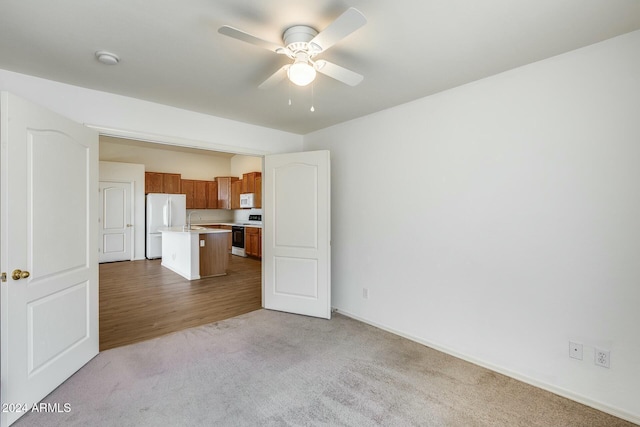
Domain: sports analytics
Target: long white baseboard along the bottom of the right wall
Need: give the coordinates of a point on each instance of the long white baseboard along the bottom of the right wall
(616, 412)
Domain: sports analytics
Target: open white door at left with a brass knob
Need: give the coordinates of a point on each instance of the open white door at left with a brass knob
(48, 234)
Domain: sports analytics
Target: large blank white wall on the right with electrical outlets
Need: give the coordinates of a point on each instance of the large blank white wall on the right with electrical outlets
(499, 220)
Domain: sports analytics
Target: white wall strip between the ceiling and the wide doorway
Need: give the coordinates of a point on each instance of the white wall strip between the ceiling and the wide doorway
(118, 115)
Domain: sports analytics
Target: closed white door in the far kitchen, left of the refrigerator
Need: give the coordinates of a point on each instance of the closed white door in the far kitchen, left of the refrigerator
(115, 221)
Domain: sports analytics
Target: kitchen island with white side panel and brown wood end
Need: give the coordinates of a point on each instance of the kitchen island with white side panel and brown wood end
(195, 253)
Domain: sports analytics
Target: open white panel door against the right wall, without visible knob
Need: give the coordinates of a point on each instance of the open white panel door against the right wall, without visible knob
(297, 231)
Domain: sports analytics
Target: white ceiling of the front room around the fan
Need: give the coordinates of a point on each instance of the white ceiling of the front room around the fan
(171, 52)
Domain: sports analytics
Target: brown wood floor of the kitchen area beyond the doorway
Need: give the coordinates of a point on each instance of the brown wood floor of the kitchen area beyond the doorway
(140, 300)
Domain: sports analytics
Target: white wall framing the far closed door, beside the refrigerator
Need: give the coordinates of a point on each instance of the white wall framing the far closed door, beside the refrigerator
(128, 172)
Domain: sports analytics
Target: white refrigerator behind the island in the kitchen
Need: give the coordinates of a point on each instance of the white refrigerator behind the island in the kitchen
(163, 210)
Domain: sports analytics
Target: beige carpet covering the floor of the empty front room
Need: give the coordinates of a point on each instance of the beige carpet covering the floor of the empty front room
(274, 369)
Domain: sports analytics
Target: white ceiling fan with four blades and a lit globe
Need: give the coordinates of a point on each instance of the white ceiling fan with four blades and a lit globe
(302, 44)
